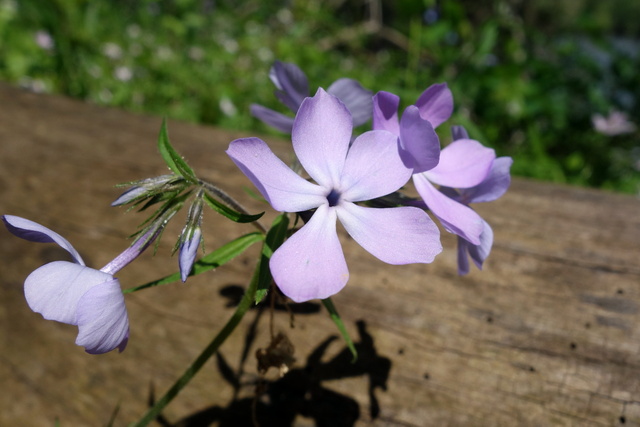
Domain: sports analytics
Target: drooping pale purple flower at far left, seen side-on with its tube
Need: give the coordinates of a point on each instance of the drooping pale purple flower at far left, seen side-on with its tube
(72, 293)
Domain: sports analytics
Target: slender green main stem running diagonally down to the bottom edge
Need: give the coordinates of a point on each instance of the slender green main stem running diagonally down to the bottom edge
(206, 354)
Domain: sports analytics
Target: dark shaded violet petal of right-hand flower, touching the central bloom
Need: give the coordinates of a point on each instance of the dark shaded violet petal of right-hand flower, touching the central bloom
(419, 140)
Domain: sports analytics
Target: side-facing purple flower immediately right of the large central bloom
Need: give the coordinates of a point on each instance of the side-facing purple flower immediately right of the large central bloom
(462, 164)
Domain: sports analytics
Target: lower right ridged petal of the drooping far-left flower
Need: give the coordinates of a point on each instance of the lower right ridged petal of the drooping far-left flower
(103, 323)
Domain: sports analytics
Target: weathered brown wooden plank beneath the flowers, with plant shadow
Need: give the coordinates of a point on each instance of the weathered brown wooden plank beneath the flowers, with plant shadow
(548, 334)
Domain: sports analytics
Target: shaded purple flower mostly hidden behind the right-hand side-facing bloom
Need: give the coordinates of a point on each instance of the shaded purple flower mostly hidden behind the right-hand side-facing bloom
(491, 188)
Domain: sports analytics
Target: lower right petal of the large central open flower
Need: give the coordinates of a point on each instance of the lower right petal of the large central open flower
(394, 235)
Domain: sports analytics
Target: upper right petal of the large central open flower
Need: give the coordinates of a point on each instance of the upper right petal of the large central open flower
(373, 168)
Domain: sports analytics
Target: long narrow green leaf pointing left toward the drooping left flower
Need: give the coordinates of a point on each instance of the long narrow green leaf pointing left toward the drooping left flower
(213, 260)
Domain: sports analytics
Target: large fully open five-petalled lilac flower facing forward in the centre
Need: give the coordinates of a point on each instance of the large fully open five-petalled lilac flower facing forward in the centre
(311, 264)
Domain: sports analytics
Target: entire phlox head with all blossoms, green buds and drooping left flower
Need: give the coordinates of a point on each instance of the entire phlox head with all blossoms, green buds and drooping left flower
(357, 180)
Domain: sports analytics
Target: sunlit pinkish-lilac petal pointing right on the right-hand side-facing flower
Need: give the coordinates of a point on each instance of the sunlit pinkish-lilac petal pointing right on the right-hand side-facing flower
(464, 163)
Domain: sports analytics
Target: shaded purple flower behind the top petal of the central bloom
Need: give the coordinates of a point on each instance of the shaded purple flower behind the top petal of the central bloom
(292, 87)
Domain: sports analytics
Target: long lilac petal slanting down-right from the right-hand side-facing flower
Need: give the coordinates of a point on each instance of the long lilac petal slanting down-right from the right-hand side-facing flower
(455, 217)
